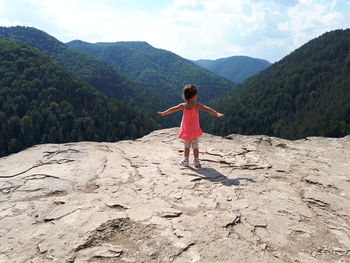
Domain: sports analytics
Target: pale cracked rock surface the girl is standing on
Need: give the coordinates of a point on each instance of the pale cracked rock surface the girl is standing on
(255, 199)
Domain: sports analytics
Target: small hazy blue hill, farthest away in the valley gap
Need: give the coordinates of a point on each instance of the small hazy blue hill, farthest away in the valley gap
(236, 68)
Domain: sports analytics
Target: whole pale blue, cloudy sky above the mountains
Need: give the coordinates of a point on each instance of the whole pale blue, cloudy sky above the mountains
(193, 29)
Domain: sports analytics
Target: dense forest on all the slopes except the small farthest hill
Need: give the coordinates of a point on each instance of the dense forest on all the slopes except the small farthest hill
(56, 97)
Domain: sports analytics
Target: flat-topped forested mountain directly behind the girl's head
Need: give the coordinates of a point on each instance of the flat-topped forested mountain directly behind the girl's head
(160, 70)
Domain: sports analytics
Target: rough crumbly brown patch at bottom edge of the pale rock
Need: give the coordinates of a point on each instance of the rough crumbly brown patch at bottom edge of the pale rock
(138, 242)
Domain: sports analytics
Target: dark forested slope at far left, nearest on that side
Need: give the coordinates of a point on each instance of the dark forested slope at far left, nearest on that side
(42, 103)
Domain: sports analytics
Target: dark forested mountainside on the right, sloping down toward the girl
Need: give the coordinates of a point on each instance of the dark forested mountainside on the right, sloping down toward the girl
(307, 93)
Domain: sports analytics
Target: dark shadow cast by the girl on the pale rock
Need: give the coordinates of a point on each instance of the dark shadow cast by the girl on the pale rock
(213, 175)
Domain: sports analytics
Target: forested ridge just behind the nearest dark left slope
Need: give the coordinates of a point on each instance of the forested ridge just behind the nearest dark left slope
(98, 74)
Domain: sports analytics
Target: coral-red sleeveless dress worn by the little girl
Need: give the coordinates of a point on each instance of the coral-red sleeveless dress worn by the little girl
(190, 129)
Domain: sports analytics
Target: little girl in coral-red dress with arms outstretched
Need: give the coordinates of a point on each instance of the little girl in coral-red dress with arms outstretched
(190, 129)
